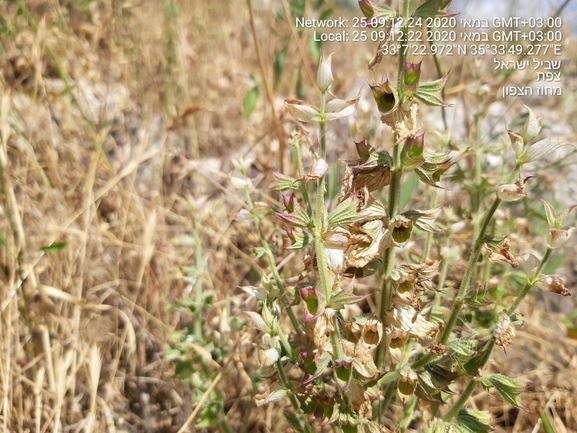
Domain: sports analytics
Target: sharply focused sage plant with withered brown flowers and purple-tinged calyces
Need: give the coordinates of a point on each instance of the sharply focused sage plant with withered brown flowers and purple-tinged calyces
(413, 348)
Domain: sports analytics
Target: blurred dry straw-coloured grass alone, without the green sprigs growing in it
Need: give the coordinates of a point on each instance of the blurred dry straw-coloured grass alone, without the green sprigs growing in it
(103, 125)
